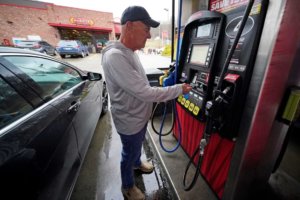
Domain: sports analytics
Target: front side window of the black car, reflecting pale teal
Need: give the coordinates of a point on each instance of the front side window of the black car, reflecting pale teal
(52, 77)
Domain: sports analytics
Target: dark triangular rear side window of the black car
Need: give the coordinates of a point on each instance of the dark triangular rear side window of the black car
(12, 105)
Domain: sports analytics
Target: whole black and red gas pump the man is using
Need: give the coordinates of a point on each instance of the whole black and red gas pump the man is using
(217, 57)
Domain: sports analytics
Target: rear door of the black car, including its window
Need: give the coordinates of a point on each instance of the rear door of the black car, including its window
(17, 168)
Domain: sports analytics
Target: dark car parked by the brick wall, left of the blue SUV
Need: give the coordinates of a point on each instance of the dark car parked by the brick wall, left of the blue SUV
(39, 46)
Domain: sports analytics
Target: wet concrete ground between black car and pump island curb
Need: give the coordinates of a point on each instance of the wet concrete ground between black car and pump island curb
(100, 178)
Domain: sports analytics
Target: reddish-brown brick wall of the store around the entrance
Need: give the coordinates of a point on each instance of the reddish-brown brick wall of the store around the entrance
(20, 21)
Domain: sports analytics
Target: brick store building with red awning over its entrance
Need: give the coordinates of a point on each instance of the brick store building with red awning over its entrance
(32, 20)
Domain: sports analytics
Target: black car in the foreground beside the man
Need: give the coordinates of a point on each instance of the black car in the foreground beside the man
(48, 114)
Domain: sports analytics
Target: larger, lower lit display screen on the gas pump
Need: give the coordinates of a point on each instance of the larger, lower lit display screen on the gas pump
(199, 54)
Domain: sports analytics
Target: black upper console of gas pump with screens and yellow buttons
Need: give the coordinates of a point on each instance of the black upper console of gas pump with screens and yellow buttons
(201, 44)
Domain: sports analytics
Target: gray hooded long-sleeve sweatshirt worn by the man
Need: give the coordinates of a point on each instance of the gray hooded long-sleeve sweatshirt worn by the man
(131, 96)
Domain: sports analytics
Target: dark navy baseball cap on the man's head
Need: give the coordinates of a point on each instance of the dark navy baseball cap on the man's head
(138, 13)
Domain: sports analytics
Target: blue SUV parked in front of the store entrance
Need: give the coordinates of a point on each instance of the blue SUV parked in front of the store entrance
(72, 48)
